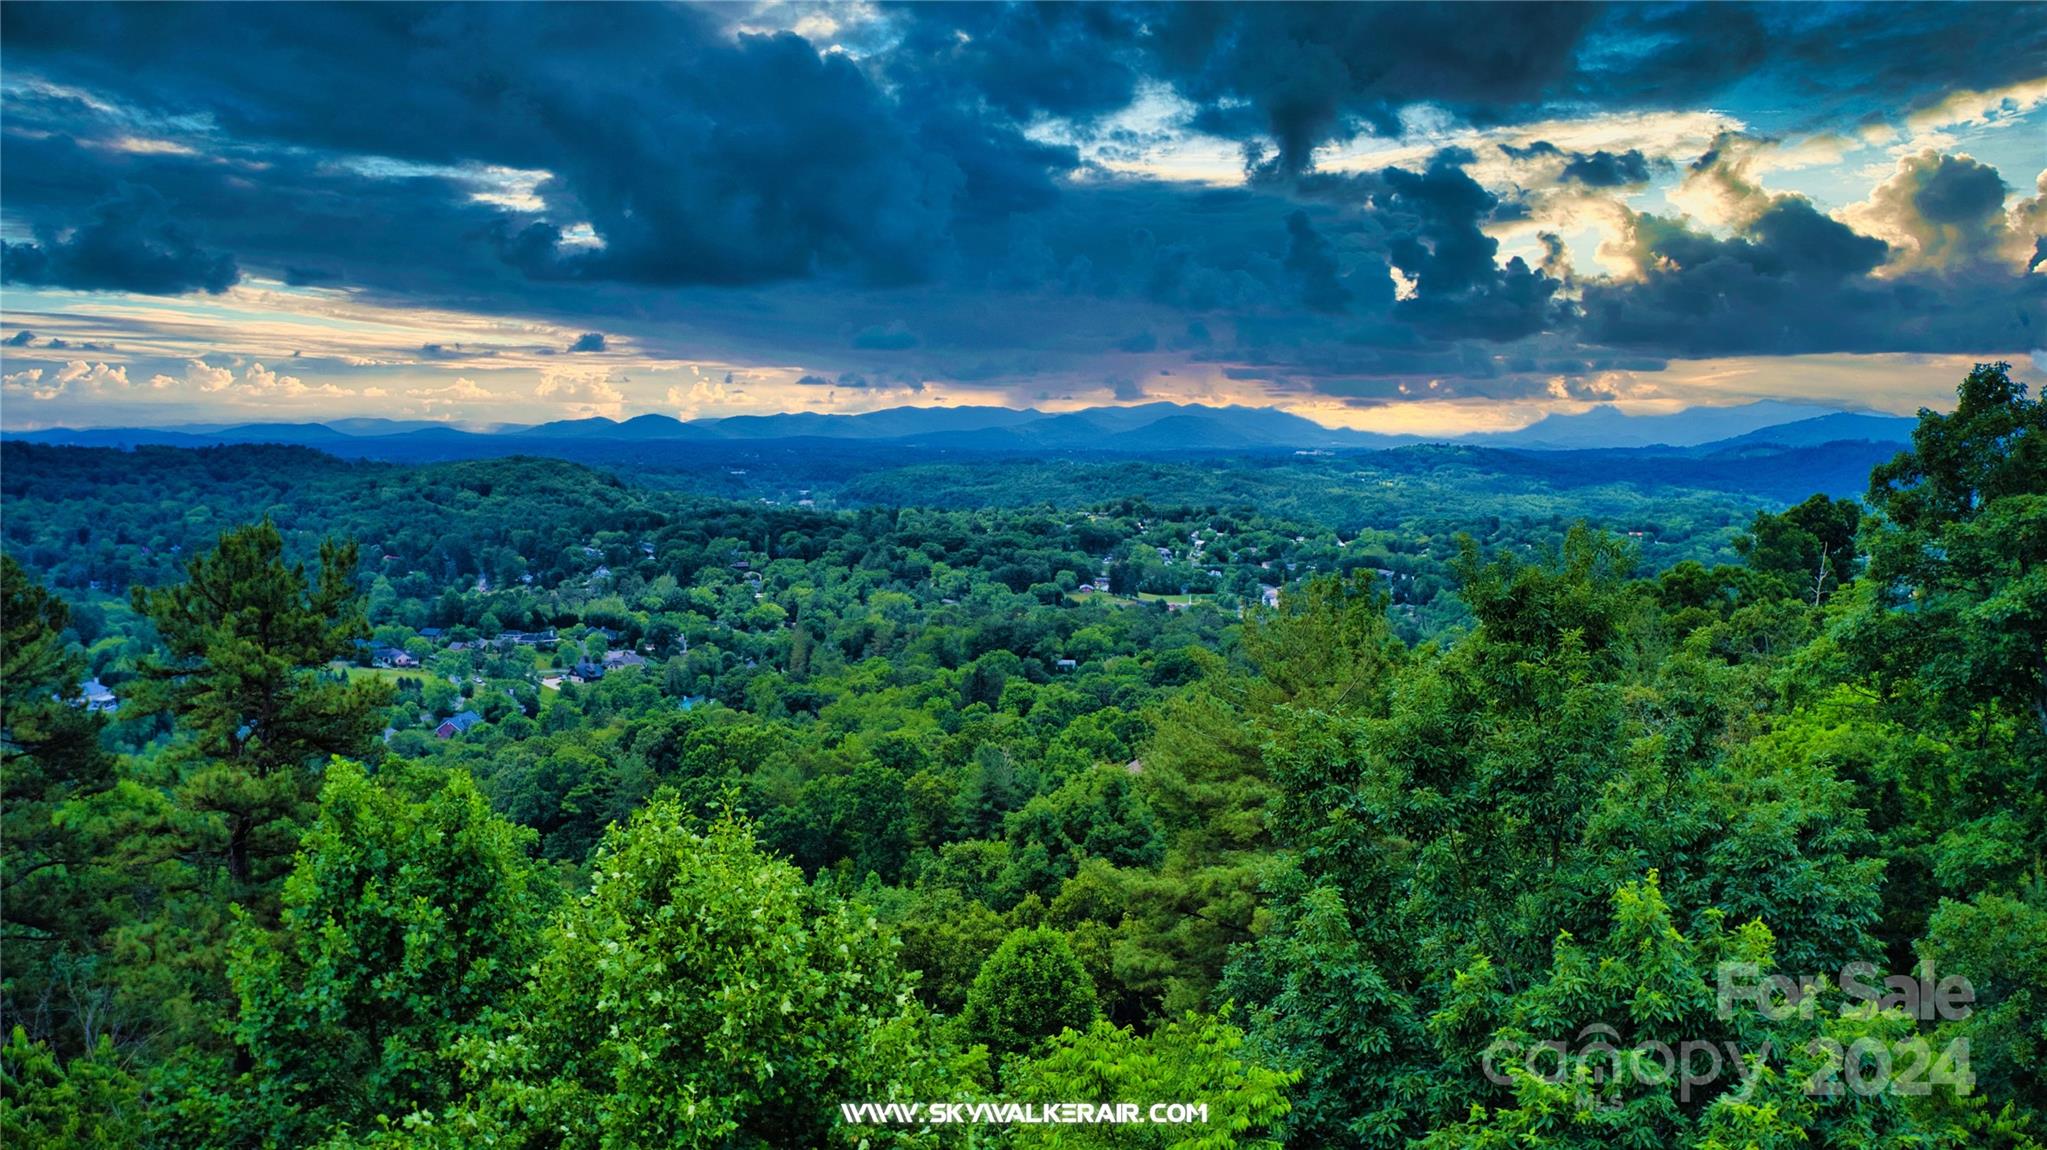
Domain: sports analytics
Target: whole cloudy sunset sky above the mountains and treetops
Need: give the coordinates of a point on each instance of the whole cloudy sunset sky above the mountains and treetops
(1395, 218)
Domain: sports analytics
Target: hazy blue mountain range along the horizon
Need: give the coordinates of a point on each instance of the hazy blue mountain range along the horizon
(1137, 431)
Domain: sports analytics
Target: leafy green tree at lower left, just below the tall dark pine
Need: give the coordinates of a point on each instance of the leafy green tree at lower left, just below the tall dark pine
(404, 924)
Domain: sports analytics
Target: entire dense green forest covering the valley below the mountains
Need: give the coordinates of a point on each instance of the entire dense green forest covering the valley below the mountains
(513, 803)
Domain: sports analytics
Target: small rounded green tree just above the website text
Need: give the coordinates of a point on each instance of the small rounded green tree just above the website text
(1031, 989)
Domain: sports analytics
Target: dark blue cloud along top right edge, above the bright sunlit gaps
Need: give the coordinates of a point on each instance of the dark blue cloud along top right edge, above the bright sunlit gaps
(1305, 75)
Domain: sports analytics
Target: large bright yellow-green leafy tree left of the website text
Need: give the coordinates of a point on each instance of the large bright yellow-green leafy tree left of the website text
(701, 996)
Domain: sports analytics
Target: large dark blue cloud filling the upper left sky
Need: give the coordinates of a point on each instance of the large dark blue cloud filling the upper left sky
(695, 157)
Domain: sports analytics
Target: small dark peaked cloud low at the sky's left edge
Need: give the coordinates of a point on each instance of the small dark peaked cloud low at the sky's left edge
(130, 242)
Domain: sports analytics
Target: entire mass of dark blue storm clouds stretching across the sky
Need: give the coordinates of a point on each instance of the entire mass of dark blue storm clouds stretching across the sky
(836, 206)
